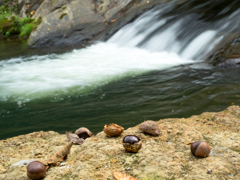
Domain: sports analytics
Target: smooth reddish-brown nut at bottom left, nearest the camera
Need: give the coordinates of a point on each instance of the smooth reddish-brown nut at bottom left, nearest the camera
(36, 170)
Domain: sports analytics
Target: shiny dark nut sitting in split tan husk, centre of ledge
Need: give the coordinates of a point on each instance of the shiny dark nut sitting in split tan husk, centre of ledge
(132, 143)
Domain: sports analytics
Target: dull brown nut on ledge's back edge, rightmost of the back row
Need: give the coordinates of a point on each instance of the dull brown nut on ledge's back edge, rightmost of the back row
(150, 127)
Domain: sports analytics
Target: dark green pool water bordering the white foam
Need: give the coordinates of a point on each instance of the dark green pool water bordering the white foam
(179, 91)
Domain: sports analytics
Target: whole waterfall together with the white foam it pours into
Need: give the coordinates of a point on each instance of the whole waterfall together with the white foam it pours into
(158, 39)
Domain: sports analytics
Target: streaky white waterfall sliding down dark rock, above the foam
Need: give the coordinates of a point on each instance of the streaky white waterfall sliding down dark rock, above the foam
(188, 34)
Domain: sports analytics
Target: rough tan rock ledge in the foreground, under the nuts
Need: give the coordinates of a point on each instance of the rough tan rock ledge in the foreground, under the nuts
(166, 156)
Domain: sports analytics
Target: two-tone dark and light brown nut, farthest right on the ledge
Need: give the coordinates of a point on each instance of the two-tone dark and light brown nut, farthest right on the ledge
(200, 149)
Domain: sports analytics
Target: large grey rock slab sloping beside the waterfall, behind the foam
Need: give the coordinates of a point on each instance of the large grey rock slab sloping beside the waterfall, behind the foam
(70, 22)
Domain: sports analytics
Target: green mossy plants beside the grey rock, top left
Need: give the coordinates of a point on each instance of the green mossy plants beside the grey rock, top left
(12, 24)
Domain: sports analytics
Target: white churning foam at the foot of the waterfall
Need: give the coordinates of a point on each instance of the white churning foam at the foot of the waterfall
(77, 71)
